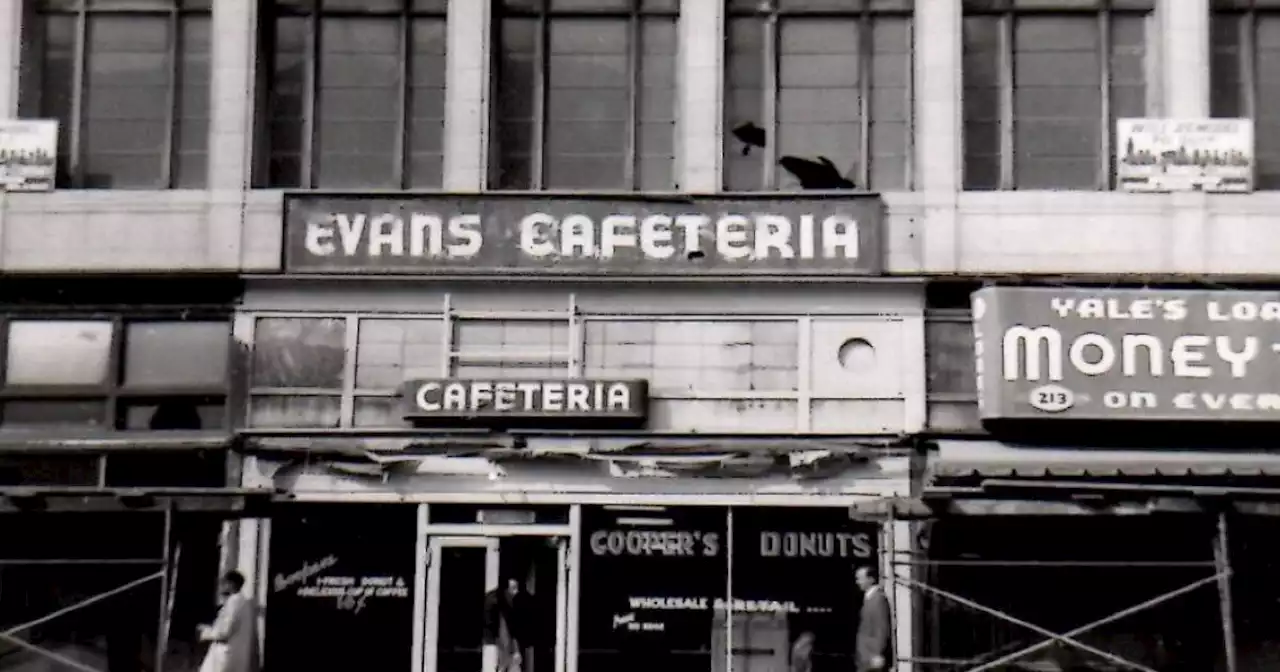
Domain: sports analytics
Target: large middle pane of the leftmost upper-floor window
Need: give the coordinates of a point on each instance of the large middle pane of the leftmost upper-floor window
(127, 57)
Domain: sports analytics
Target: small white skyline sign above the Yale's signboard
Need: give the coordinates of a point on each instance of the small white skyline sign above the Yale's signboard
(1168, 156)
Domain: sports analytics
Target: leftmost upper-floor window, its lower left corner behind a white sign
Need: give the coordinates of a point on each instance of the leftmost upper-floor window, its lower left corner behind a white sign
(129, 84)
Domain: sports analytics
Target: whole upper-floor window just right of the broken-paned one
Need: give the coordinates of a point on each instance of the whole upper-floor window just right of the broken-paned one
(1044, 86)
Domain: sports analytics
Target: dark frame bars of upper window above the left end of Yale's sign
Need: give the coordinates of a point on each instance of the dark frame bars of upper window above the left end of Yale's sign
(1007, 12)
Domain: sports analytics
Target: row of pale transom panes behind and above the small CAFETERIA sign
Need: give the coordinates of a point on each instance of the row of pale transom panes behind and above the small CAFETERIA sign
(303, 373)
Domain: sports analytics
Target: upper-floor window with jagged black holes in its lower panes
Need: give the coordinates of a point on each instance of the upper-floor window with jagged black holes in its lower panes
(819, 95)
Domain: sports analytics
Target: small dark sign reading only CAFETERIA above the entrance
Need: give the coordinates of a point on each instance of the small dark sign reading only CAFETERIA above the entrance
(564, 399)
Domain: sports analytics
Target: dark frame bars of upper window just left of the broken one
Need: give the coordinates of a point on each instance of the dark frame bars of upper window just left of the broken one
(543, 15)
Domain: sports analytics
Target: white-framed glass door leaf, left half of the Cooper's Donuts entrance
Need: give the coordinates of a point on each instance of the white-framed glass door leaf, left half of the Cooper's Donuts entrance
(461, 574)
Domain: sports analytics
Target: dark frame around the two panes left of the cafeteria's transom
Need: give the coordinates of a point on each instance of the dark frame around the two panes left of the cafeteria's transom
(113, 392)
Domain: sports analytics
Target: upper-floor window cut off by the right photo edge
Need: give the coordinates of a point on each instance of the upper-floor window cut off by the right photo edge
(1245, 76)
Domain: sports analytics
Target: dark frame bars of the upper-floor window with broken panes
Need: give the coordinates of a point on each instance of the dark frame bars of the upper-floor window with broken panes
(866, 16)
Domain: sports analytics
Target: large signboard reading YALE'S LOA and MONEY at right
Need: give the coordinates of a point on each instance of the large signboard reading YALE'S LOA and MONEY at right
(1127, 354)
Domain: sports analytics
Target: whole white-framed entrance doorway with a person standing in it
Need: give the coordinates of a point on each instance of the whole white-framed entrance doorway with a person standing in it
(492, 591)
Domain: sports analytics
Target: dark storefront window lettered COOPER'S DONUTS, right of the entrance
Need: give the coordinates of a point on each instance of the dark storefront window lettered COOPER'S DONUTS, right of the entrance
(656, 584)
